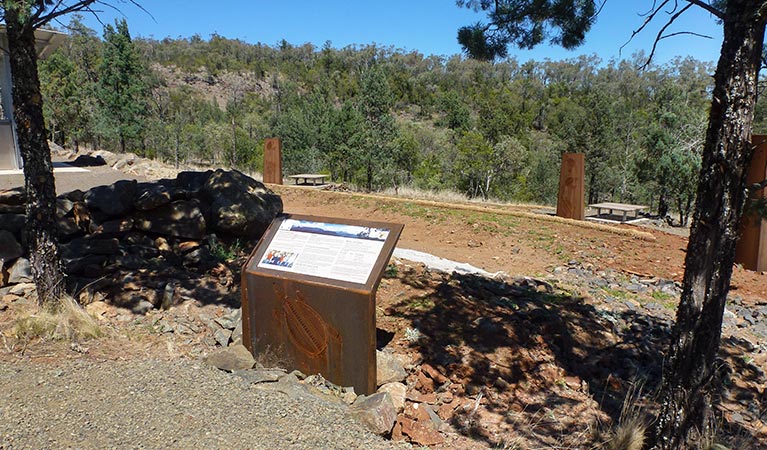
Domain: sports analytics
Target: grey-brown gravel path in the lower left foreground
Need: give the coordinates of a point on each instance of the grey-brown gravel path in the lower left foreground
(161, 404)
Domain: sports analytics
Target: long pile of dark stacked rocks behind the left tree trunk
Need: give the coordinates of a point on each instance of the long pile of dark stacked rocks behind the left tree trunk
(157, 237)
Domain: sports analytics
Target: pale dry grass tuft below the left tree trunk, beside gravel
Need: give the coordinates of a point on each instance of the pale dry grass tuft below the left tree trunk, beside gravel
(69, 323)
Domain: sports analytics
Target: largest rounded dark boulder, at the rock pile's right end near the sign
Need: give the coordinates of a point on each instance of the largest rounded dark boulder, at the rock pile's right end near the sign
(240, 205)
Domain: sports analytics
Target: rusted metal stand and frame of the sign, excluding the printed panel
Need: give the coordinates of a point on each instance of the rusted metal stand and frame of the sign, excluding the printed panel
(312, 323)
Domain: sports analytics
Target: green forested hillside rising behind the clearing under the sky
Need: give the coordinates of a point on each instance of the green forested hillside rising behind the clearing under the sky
(378, 117)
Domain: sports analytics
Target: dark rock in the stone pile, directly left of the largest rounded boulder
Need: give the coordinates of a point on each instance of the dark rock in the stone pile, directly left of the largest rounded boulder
(180, 219)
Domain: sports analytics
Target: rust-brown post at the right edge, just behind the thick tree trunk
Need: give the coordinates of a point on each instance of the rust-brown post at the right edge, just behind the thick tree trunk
(751, 249)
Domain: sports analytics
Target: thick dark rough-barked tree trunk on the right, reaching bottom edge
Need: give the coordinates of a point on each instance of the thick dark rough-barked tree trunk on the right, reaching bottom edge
(690, 377)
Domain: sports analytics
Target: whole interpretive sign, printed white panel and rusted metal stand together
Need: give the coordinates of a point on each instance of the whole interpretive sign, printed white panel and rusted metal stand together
(309, 295)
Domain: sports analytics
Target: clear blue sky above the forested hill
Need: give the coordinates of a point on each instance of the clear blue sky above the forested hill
(428, 26)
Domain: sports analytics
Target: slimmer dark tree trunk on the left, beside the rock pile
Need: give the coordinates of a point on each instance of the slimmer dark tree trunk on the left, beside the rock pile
(40, 230)
